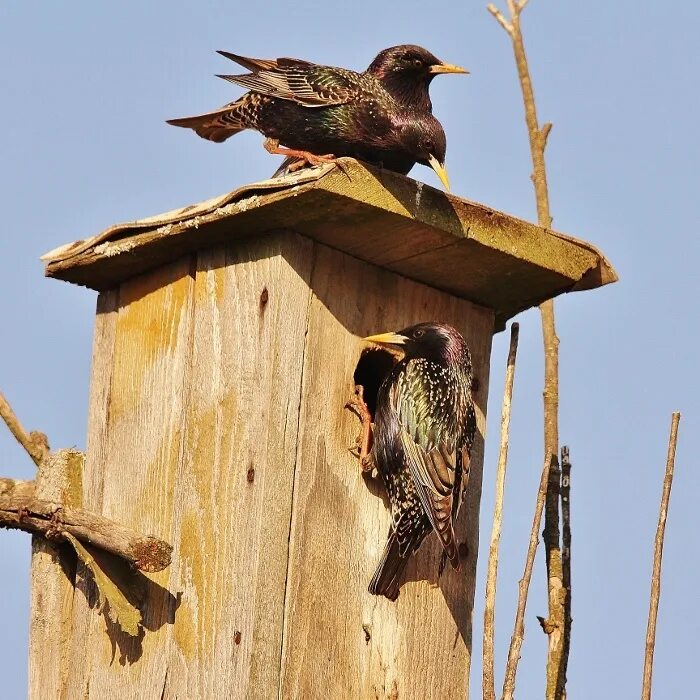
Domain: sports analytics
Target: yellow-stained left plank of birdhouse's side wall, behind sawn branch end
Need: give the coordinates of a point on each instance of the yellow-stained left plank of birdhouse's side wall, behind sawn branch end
(136, 429)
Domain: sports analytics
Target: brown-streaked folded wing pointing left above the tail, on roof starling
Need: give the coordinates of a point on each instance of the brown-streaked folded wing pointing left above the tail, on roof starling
(305, 83)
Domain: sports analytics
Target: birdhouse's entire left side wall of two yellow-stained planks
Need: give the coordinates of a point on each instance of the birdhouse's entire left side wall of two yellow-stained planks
(193, 436)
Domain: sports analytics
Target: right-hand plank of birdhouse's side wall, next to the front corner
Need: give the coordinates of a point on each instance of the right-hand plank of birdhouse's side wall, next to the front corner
(234, 492)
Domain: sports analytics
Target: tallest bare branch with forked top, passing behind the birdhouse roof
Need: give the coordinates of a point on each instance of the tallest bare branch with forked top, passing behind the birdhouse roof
(554, 624)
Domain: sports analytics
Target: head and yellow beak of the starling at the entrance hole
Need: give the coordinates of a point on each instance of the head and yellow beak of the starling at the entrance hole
(434, 341)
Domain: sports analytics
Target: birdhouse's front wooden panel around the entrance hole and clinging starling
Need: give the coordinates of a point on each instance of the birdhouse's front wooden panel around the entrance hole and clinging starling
(339, 641)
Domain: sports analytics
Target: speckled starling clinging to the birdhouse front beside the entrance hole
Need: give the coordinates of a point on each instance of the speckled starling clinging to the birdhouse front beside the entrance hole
(424, 427)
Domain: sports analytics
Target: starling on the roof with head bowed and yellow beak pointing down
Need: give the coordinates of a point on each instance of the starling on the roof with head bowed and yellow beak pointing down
(320, 113)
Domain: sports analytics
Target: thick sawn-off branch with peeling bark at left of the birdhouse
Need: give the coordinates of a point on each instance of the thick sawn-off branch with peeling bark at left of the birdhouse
(20, 510)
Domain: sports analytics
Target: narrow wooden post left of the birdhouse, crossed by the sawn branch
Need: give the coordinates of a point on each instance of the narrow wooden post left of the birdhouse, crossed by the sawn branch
(52, 579)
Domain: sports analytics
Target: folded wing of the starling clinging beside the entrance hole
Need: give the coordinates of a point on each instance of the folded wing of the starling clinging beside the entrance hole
(431, 453)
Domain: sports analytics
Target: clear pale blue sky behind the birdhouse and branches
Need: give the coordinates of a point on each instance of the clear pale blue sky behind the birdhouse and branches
(86, 88)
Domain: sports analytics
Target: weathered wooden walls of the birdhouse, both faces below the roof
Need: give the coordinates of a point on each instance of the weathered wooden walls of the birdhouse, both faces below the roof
(217, 424)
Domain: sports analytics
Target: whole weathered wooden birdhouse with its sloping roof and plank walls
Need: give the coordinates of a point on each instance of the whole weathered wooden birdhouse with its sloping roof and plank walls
(227, 343)
